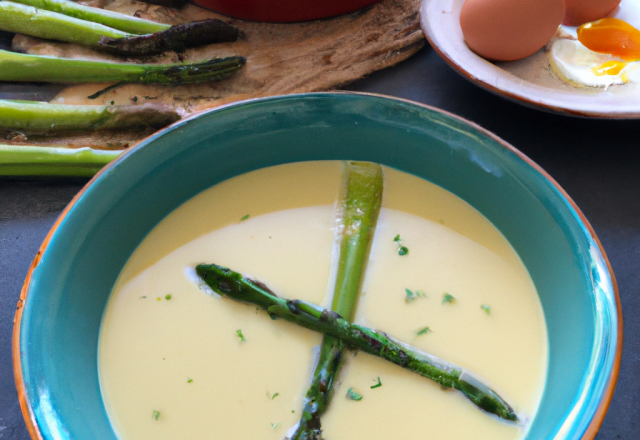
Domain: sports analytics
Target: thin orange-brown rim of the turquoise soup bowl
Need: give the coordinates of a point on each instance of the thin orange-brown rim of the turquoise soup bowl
(608, 391)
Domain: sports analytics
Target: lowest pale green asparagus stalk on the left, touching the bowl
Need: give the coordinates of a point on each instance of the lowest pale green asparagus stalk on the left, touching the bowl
(29, 160)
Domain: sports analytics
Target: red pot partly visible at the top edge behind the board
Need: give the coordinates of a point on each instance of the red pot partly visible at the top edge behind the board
(281, 11)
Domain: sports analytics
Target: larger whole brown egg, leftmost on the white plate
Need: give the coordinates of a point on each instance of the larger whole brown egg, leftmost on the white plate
(506, 30)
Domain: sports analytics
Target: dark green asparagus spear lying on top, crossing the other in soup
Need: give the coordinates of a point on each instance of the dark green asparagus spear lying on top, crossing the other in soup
(375, 342)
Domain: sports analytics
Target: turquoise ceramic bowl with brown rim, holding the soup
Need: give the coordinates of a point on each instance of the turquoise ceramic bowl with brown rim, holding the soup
(58, 319)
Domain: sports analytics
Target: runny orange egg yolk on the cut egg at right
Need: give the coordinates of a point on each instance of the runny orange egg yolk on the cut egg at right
(612, 36)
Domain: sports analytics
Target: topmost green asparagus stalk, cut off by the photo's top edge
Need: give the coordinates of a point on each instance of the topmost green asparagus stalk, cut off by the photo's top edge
(111, 19)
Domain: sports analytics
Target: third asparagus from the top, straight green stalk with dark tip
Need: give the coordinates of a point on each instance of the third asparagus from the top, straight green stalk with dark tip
(37, 68)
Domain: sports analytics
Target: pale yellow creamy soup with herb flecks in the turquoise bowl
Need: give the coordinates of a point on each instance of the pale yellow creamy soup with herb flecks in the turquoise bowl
(173, 366)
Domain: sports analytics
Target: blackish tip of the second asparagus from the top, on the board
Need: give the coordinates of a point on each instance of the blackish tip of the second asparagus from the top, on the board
(177, 38)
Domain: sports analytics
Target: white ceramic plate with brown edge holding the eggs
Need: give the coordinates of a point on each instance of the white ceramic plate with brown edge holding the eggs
(529, 81)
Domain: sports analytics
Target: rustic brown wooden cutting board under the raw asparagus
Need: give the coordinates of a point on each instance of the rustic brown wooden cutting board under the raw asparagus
(281, 59)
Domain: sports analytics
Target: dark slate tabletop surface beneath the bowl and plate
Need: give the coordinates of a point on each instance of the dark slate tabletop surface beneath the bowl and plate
(597, 162)
